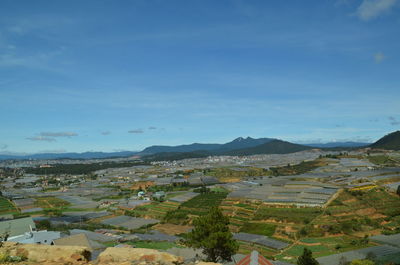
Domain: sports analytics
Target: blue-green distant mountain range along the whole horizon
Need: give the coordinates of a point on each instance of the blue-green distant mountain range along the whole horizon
(239, 146)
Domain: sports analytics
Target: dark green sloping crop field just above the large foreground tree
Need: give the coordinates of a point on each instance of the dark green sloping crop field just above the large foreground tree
(194, 207)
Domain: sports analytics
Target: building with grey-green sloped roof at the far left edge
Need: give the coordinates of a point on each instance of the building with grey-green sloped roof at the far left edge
(17, 227)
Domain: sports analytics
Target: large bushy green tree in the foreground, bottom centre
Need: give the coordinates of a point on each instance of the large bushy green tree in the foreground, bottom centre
(211, 233)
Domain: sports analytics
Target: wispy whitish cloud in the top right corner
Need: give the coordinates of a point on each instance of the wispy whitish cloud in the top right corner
(370, 9)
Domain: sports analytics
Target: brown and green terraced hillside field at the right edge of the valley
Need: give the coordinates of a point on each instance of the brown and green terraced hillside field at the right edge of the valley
(358, 213)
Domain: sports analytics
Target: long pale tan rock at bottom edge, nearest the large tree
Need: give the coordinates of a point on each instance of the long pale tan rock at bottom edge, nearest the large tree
(138, 256)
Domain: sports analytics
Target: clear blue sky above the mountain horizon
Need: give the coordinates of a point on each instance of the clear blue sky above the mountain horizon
(123, 75)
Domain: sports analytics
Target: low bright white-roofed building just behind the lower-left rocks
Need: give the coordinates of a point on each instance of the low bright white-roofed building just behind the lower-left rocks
(36, 237)
